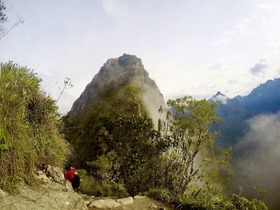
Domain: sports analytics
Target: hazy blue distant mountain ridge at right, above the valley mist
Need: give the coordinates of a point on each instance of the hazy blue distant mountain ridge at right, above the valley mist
(263, 99)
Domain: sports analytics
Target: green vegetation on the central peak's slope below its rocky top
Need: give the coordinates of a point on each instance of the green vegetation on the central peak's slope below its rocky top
(86, 133)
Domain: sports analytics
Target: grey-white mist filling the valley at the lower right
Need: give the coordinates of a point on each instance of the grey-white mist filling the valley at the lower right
(256, 161)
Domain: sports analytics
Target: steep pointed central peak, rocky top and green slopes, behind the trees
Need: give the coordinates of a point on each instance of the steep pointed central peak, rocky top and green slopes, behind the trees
(121, 87)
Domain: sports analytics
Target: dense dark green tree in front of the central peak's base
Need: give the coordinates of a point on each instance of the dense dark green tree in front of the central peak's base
(133, 142)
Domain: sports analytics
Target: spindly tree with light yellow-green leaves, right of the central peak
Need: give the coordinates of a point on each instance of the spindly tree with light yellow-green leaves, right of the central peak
(186, 132)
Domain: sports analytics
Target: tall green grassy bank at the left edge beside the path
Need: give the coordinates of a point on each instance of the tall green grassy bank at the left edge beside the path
(29, 136)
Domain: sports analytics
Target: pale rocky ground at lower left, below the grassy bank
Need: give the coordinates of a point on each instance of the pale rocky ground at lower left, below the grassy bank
(56, 193)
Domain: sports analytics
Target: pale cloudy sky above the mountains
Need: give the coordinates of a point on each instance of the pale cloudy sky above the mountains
(189, 47)
